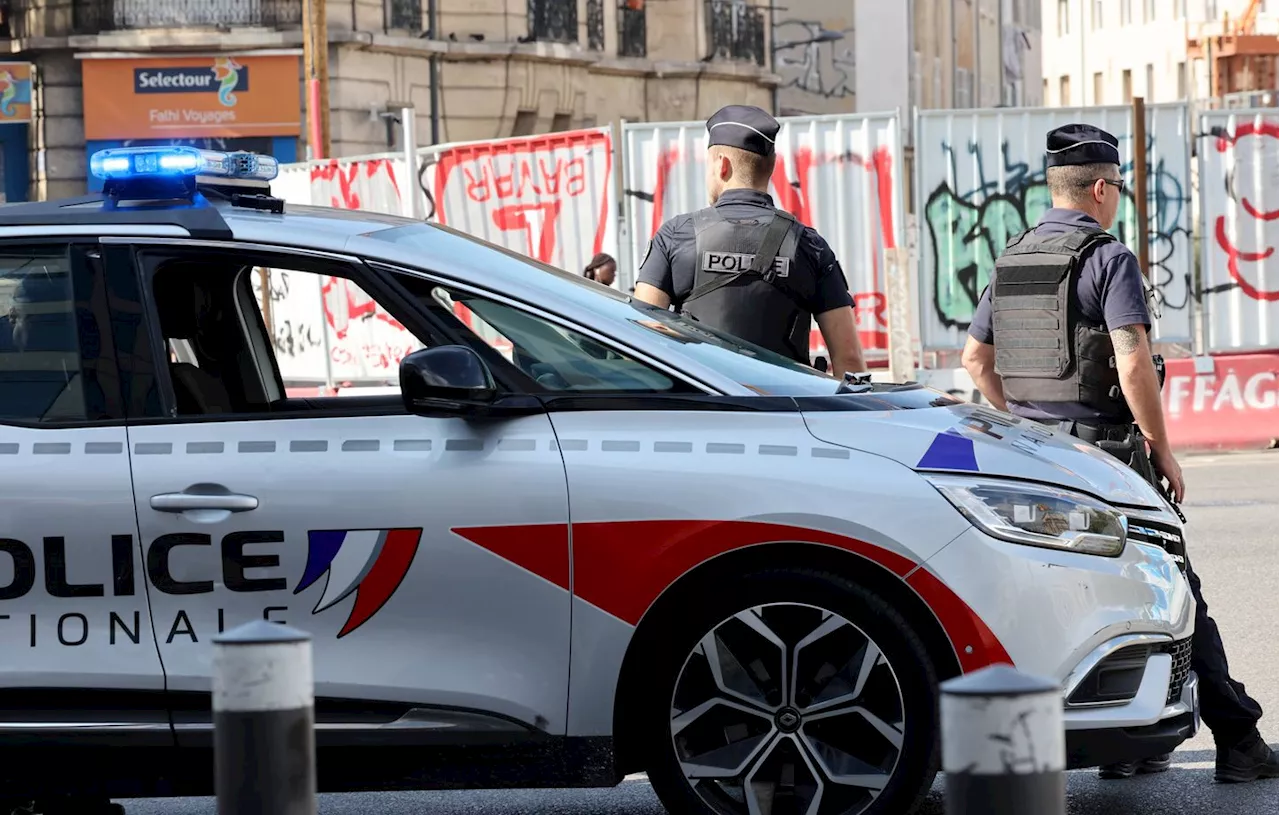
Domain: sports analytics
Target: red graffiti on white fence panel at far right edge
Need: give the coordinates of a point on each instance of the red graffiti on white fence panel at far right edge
(1249, 236)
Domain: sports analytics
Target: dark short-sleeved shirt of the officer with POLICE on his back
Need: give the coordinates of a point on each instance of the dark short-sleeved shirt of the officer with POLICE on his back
(670, 264)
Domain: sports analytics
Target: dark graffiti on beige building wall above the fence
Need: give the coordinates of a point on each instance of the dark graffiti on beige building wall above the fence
(813, 59)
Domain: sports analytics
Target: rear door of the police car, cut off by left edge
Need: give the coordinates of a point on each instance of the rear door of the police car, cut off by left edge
(80, 656)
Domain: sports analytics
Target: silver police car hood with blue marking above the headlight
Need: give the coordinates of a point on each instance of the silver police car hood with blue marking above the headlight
(966, 438)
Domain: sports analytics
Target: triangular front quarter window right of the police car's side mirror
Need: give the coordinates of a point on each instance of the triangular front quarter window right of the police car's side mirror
(556, 359)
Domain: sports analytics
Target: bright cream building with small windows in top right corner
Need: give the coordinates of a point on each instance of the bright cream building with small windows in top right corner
(1109, 52)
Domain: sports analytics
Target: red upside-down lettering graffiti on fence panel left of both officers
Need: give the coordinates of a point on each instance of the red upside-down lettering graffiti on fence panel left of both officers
(529, 180)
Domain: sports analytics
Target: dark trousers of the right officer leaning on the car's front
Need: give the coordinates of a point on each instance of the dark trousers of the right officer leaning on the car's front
(1227, 708)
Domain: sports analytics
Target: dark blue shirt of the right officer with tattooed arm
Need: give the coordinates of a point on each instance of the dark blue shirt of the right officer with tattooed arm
(1110, 292)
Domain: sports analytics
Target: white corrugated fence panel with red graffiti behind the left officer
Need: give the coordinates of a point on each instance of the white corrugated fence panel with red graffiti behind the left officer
(840, 175)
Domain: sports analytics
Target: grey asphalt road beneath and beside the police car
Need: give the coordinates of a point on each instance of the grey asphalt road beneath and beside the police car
(1233, 506)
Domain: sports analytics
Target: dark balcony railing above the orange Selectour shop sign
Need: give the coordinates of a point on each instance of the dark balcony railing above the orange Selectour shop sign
(92, 17)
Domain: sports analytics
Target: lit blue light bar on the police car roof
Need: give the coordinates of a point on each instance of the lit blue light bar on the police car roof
(176, 163)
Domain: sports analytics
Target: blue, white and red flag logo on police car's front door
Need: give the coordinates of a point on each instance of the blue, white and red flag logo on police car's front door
(372, 564)
